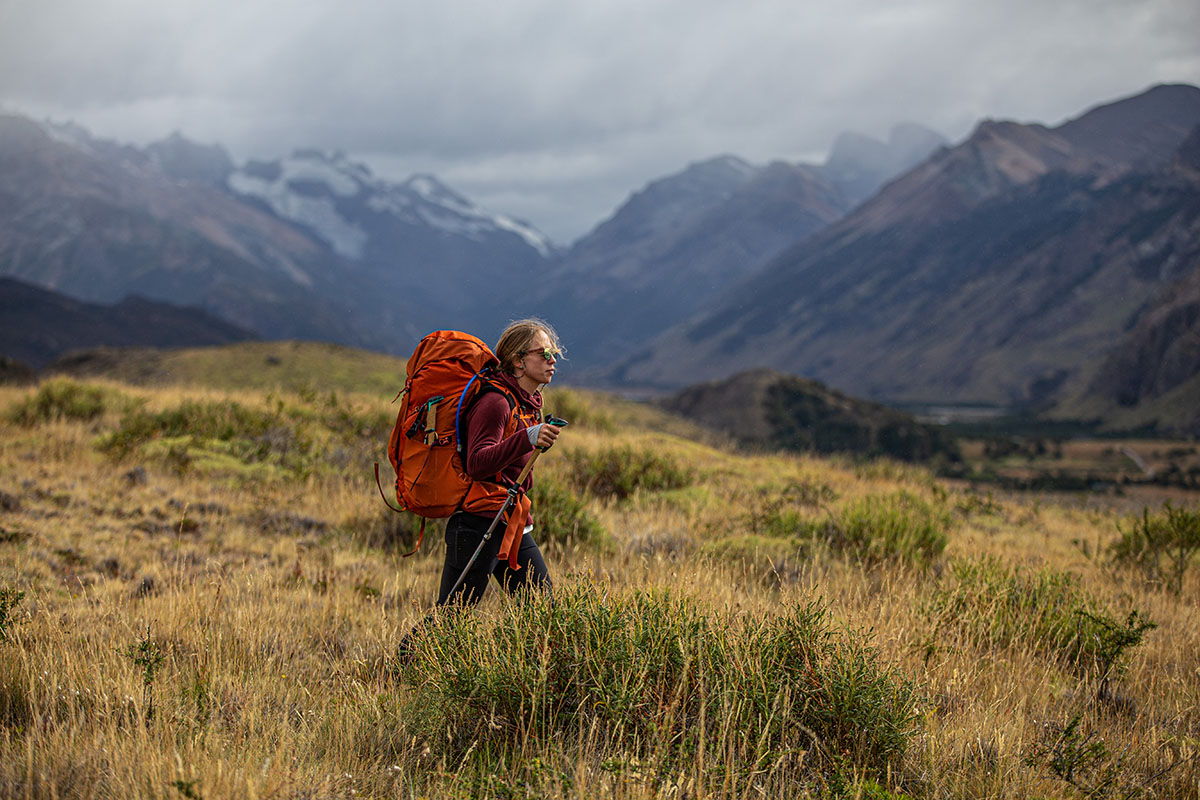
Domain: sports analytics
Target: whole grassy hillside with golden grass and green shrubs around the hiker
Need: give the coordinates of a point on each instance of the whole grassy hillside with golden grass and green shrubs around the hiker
(202, 596)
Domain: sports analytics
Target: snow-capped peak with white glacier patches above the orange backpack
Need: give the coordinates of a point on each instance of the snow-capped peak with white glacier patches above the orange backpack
(422, 242)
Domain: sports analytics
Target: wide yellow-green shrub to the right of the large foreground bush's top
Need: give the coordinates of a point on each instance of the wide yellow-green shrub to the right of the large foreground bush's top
(1001, 606)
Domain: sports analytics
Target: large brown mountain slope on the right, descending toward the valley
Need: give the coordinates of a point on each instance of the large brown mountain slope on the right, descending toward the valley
(992, 273)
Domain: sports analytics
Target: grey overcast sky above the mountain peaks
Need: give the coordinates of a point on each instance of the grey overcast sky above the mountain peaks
(555, 111)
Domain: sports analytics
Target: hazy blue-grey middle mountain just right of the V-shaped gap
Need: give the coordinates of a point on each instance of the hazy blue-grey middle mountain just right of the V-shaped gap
(675, 246)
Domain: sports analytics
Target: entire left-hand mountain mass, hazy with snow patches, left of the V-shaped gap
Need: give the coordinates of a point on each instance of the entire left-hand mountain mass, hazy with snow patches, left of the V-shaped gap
(311, 248)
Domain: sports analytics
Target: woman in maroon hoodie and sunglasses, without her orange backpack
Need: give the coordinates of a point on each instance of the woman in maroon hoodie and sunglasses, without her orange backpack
(502, 431)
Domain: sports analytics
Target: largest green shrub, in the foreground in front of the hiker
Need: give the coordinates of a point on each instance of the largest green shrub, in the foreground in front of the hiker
(649, 676)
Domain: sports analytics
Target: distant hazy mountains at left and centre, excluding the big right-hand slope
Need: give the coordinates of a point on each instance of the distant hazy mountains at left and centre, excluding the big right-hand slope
(315, 246)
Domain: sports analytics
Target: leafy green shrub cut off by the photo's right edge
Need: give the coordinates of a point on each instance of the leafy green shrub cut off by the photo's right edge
(1160, 545)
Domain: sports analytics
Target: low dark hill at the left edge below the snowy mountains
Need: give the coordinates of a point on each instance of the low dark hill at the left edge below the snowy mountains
(38, 326)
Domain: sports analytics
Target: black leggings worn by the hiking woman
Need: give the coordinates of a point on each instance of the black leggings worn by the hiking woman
(464, 534)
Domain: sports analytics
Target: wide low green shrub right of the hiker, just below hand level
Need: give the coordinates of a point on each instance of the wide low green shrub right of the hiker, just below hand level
(621, 472)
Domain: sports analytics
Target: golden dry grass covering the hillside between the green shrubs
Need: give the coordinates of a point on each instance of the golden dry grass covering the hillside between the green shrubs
(278, 623)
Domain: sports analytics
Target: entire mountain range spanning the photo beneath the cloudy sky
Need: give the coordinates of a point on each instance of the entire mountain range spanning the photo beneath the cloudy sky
(1027, 266)
